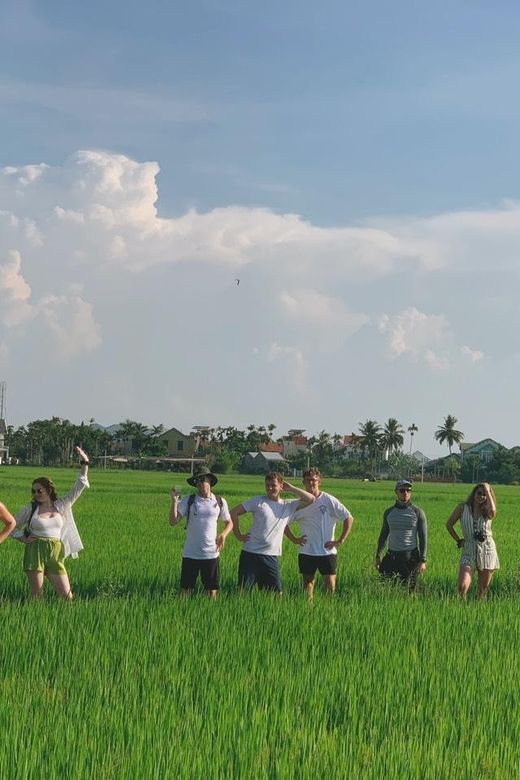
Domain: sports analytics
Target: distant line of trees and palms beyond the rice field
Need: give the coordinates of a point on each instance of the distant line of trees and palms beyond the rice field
(374, 450)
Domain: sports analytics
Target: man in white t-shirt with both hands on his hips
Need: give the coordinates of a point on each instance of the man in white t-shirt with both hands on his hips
(317, 523)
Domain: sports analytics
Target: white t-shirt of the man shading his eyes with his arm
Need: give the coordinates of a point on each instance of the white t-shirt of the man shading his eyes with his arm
(269, 521)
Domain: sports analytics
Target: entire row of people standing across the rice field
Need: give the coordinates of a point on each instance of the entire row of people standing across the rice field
(46, 526)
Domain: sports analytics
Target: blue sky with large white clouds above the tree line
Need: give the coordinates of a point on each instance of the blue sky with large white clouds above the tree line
(355, 165)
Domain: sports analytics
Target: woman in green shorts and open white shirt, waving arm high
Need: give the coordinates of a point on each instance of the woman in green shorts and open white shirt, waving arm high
(46, 526)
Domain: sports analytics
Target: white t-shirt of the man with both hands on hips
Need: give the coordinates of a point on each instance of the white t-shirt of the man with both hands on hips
(318, 521)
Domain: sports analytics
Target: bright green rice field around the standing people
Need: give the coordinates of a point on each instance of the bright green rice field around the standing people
(131, 681)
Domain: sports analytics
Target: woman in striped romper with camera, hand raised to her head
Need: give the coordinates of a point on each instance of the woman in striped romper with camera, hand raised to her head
(478, 546)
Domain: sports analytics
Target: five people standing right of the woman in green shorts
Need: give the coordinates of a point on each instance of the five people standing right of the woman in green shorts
(404, 535)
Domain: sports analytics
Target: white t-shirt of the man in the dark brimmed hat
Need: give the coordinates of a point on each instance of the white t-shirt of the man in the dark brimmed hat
(201, 531)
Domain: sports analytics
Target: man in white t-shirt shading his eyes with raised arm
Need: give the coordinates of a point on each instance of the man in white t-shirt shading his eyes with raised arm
(259, 559)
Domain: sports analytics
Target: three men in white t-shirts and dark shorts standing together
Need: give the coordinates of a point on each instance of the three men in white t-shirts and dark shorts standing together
(316, 513)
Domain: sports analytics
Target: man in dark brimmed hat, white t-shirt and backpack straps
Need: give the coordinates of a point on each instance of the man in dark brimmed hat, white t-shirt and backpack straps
(202, 547)
